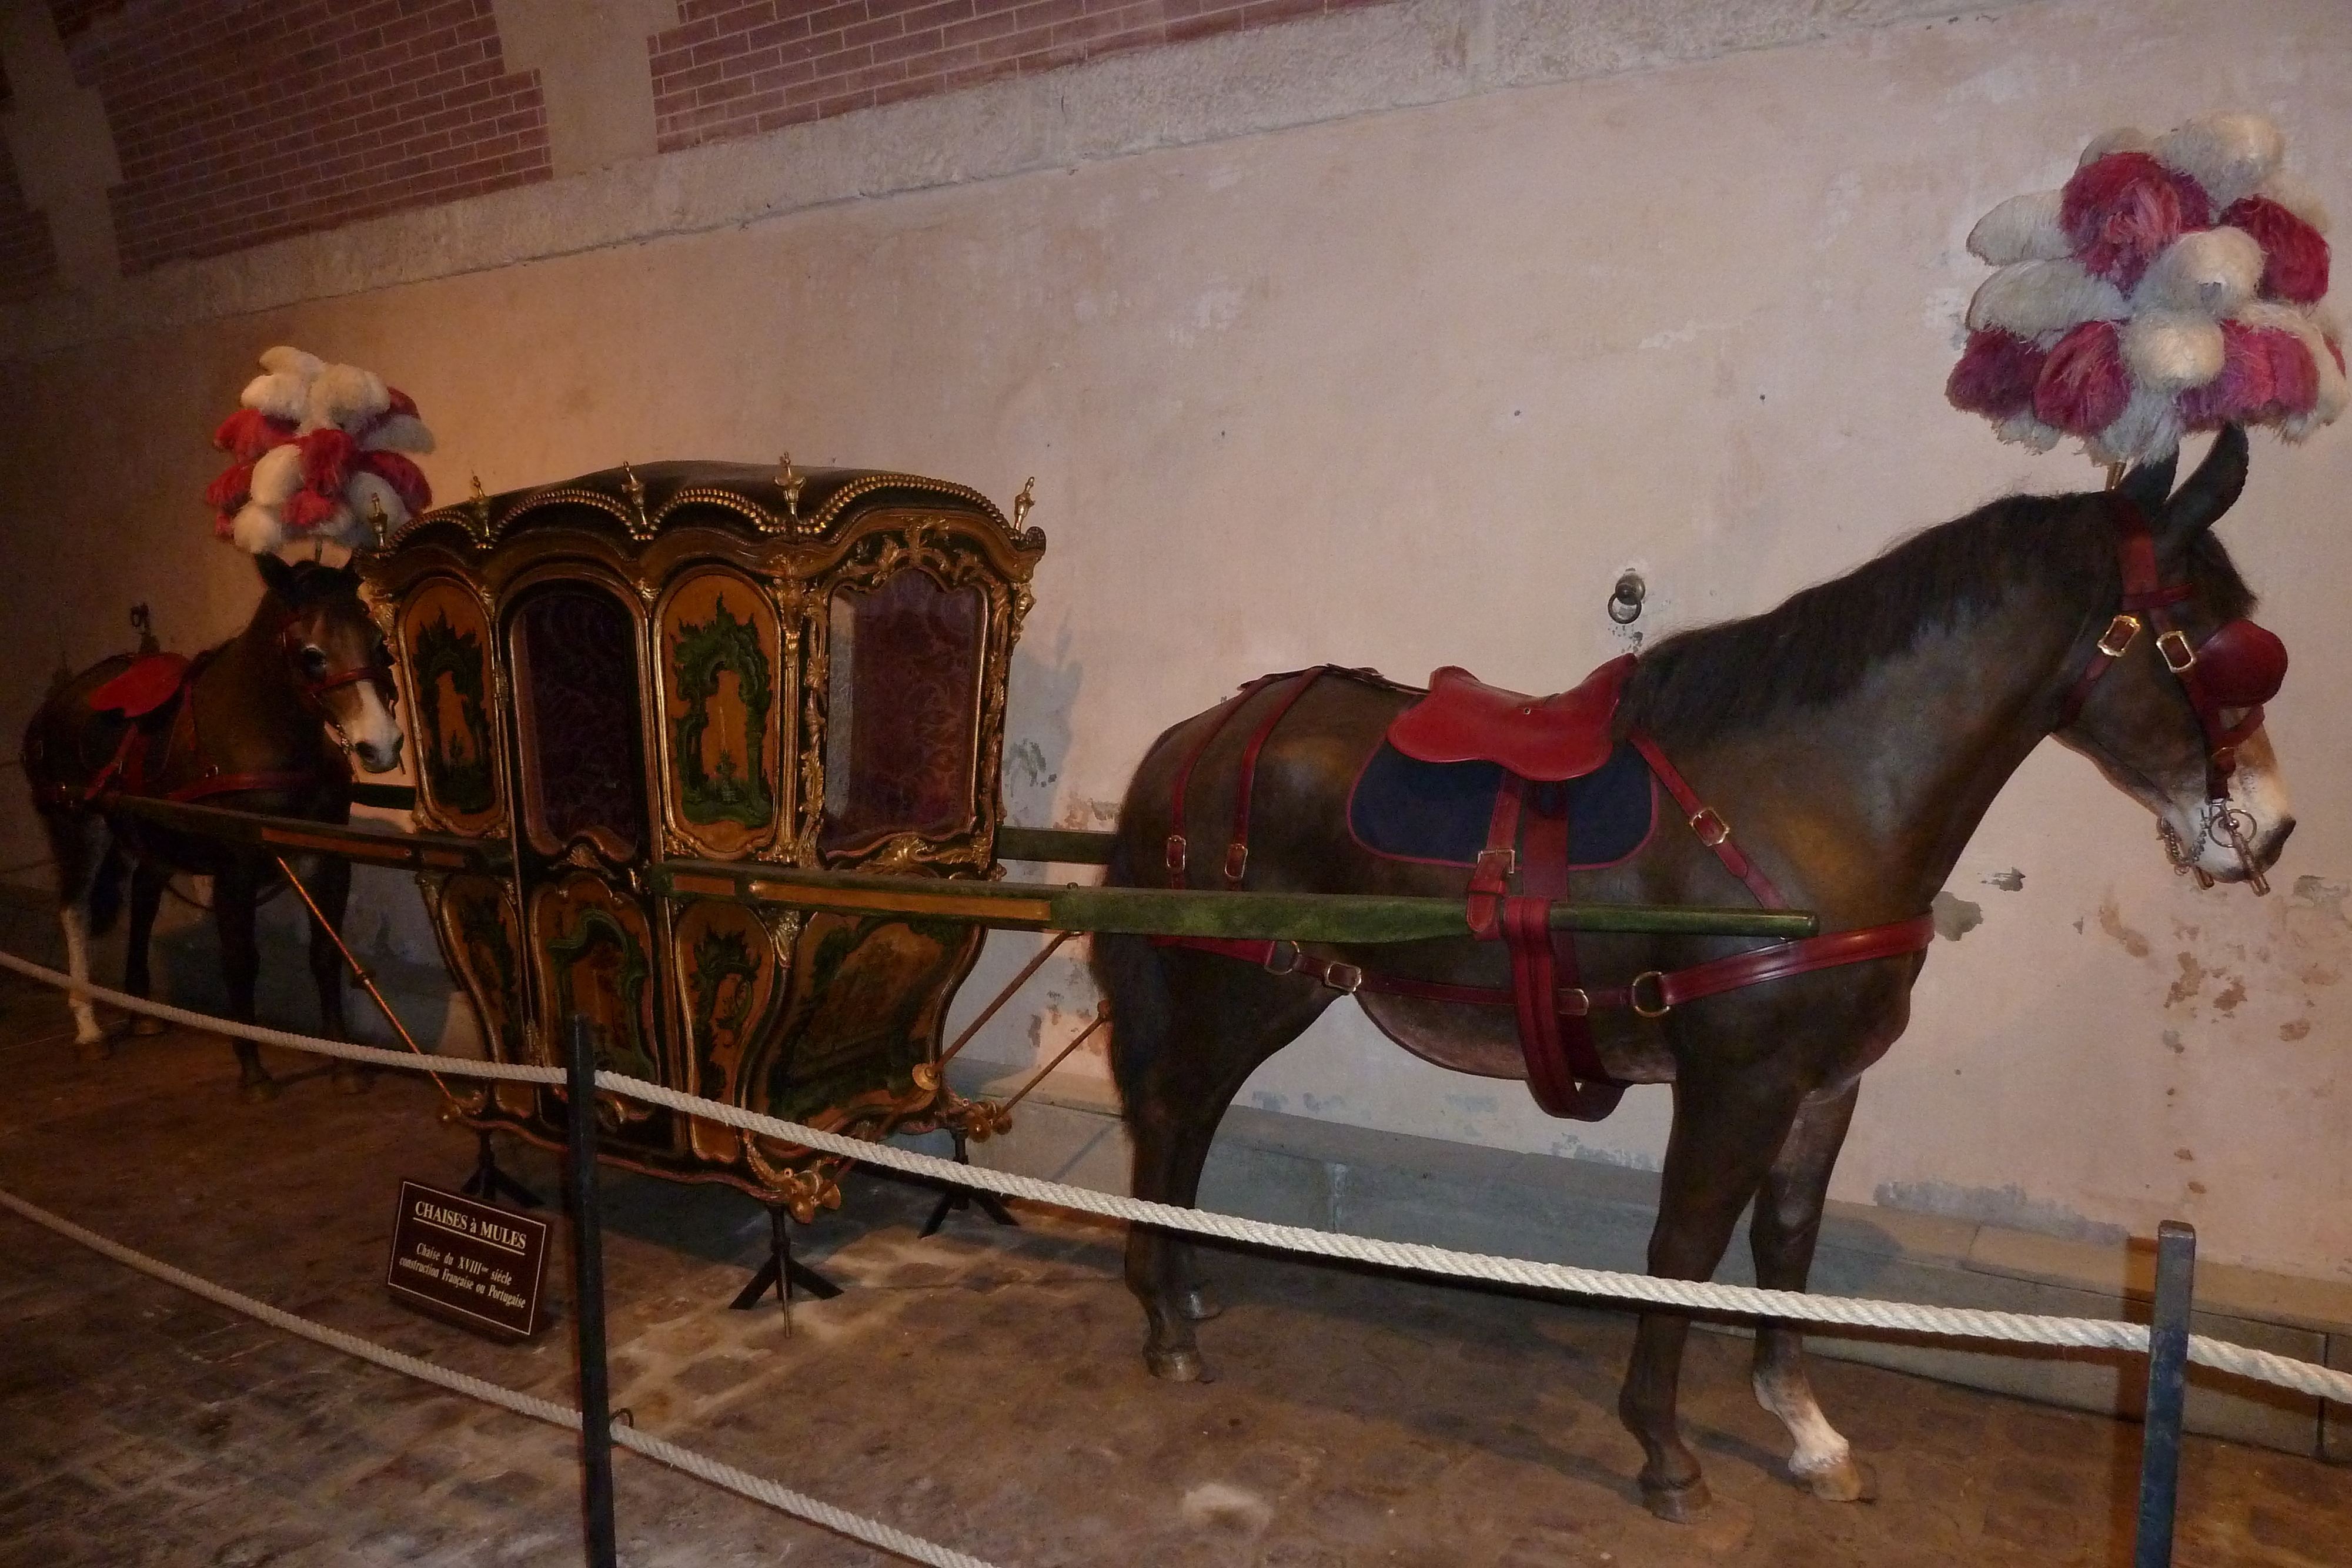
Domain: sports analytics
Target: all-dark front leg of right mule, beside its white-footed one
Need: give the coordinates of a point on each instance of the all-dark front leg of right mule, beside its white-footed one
(1723, 1141)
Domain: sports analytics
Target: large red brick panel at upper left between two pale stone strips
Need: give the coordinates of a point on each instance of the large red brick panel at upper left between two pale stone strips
(262, 119)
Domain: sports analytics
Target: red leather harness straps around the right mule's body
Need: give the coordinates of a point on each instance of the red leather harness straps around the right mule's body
(1553, 1007)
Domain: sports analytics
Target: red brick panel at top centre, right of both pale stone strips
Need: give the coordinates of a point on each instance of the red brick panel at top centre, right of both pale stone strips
(747, 67)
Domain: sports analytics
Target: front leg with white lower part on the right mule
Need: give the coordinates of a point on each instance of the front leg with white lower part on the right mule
(1782, 1235)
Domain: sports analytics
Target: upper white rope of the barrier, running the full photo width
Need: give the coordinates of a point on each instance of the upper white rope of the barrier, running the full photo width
(1645, 1289)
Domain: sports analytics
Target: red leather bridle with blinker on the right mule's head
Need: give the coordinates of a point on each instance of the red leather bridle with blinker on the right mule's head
(2238, 669)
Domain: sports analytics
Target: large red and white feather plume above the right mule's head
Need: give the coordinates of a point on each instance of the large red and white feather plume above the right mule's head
(2172, 286)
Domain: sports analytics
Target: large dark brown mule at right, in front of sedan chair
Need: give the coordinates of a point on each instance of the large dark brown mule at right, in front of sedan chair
(1855, 739)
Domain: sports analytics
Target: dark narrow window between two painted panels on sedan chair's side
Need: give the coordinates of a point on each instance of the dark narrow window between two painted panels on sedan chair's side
(577, 685)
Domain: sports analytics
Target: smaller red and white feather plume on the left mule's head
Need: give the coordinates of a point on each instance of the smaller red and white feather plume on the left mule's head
(316, 453)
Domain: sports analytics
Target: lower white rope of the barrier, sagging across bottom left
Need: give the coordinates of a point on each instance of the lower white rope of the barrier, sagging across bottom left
(740, 1482)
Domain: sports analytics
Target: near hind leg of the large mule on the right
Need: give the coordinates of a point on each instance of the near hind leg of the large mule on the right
(1187, 1036)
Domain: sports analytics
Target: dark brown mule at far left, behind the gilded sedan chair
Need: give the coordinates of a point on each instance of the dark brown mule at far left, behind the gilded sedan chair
(258, 725)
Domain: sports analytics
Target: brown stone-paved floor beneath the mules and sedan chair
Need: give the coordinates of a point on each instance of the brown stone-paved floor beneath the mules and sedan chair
(980, 1388)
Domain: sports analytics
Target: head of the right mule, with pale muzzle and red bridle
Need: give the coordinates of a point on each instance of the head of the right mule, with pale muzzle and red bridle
(2177, 721)
